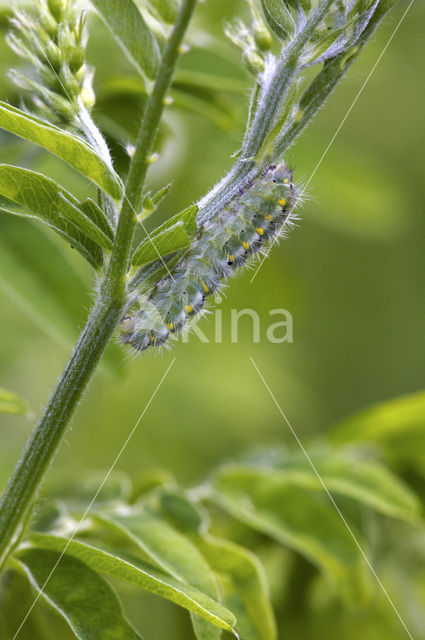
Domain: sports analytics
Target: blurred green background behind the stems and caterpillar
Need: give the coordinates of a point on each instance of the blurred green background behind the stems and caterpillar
(352, 275)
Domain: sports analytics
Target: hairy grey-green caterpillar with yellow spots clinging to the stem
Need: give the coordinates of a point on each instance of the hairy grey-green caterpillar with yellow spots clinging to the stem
(223, 245)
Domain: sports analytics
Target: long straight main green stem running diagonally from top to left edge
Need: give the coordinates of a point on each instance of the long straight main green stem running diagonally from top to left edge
(49, 432)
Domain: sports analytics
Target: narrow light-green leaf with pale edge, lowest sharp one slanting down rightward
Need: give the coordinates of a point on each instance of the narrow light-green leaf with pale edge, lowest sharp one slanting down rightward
(132, 570)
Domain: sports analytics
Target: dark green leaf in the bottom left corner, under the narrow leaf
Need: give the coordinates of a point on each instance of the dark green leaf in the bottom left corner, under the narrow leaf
(78, 594)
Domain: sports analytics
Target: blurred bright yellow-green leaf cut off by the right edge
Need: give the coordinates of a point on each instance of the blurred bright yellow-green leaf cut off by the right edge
(398, 426)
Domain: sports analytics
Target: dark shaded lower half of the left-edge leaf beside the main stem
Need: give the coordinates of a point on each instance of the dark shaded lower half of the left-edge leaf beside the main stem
(69, 232)
